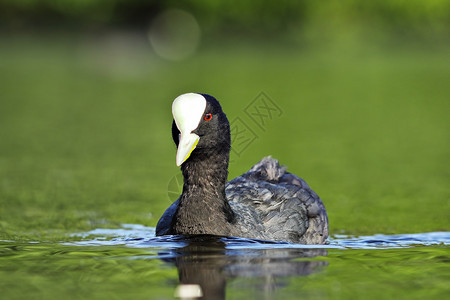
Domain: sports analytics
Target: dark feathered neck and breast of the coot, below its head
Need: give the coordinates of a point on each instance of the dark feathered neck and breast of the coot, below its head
(203, 204)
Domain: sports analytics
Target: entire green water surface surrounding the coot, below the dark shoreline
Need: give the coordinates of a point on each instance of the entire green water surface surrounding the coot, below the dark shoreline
(85, 143)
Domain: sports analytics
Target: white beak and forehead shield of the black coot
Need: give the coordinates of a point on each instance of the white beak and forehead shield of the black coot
(187, 111)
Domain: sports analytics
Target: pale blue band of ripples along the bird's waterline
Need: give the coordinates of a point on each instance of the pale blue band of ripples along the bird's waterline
(135, 235)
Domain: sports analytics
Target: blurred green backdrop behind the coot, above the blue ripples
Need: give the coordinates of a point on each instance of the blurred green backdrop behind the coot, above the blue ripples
(86, 90)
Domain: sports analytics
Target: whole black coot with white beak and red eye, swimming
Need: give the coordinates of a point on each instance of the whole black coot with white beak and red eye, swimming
(267, 202)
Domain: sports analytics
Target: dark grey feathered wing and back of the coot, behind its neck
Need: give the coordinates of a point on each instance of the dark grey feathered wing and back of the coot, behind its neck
(279, 201)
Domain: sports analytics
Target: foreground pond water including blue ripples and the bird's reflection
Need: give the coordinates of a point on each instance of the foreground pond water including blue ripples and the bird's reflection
(130, 262)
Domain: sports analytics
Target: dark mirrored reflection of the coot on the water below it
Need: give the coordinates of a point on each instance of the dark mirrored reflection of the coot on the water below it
(206, 262)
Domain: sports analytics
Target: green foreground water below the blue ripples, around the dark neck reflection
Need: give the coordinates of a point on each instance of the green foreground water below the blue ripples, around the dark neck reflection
(49, 271)
